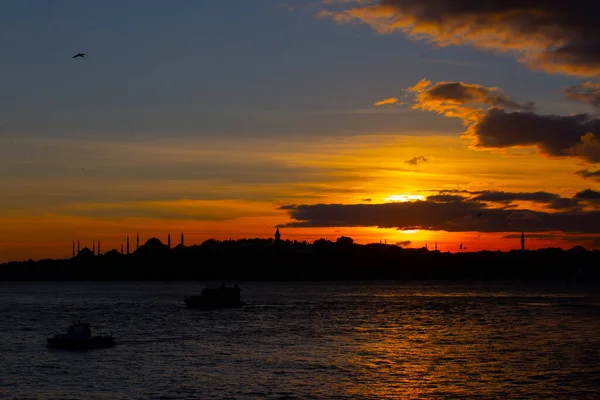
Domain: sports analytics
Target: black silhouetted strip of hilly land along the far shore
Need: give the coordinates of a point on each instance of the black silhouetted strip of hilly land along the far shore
(268, 259)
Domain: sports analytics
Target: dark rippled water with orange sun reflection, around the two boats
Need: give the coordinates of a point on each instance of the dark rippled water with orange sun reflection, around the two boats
(306, 341)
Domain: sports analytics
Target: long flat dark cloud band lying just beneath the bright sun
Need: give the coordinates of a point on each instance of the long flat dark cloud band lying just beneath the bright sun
(455, 216)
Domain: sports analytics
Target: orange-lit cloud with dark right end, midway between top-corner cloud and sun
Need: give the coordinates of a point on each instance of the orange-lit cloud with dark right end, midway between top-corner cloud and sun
(494, 121)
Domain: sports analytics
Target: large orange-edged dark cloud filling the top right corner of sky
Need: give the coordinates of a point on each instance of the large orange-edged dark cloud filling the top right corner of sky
(556, 36)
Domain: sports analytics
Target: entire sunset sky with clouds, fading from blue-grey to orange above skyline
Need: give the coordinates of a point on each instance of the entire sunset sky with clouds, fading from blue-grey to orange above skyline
(407, 122)
